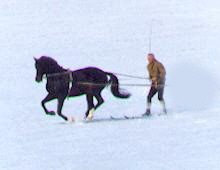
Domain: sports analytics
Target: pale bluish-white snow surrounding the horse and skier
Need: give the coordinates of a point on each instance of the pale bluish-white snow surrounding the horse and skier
(112, 35)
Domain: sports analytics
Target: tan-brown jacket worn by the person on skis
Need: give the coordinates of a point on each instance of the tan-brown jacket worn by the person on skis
(157, 72)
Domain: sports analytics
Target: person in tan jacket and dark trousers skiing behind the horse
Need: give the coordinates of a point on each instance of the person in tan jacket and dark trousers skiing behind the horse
(157, 75)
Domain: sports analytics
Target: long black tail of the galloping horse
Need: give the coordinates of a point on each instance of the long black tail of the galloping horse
(116, 91)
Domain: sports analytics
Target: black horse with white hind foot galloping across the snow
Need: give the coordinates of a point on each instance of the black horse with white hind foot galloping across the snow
(62, 83)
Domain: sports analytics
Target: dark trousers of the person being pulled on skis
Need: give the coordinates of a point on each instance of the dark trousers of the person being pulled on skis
(153, 91)
